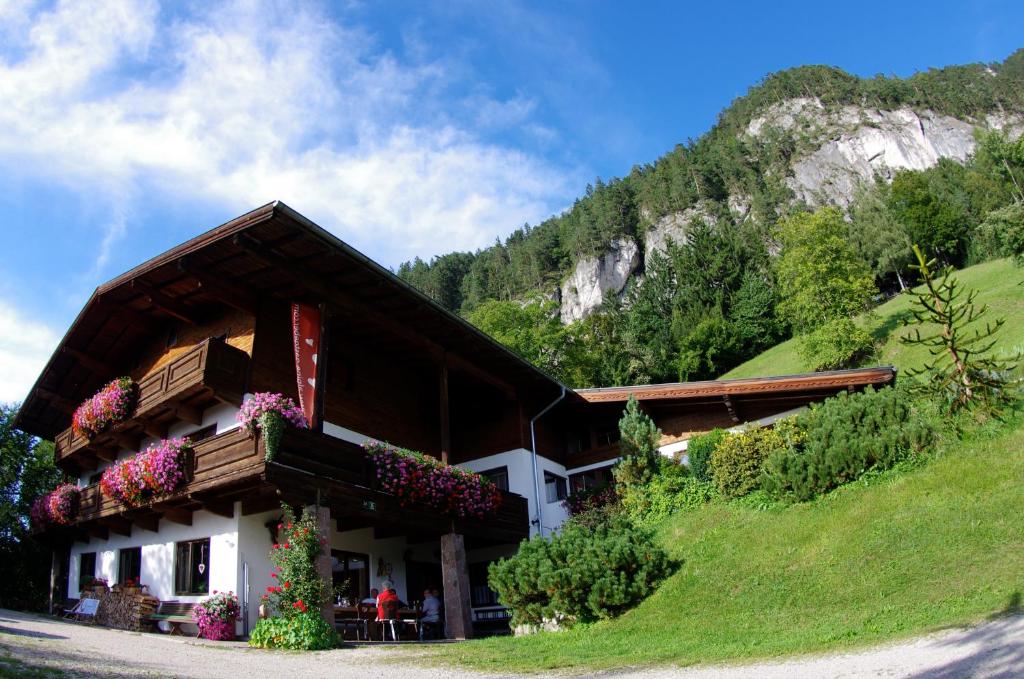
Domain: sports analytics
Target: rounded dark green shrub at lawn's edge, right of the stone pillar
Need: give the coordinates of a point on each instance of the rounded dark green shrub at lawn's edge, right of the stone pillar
(583, 574)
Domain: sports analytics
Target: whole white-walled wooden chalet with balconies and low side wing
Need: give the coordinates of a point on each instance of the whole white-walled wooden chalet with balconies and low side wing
(208, 323)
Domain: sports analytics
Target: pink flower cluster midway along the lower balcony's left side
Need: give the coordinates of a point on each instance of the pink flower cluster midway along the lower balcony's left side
(158, 471)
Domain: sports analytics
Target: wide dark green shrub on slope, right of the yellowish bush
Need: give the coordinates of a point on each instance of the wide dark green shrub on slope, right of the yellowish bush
(845, 437)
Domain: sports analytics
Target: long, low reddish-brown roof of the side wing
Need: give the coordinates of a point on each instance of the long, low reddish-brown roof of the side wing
(826, 381)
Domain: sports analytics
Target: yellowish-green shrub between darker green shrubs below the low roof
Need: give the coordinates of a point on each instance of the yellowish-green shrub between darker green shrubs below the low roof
(738, 461)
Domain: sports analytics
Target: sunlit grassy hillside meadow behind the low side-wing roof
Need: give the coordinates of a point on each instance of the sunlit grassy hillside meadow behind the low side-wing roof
(999, 285)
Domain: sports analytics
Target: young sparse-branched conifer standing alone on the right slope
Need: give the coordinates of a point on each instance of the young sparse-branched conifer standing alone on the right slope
(963, 370)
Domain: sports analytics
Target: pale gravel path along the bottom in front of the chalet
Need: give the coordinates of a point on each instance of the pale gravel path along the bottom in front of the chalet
(992, 651)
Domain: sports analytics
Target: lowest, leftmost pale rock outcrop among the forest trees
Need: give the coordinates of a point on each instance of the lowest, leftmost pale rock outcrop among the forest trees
(596, 278)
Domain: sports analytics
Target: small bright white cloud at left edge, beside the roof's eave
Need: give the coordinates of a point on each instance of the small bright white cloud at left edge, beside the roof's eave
(25, 347)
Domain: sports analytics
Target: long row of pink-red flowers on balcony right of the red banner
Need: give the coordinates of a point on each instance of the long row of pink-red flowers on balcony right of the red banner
(415, 478)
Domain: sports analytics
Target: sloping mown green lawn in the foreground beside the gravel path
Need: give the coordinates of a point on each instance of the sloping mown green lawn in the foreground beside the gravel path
(906, 554)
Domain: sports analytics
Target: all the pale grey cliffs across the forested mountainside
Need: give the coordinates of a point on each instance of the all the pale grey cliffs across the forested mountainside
(836, 150)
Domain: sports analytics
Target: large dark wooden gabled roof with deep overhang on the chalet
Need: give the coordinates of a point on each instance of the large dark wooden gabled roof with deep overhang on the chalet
(271, 252)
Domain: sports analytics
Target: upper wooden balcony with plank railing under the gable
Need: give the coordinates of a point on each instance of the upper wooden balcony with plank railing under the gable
(210, 372)
